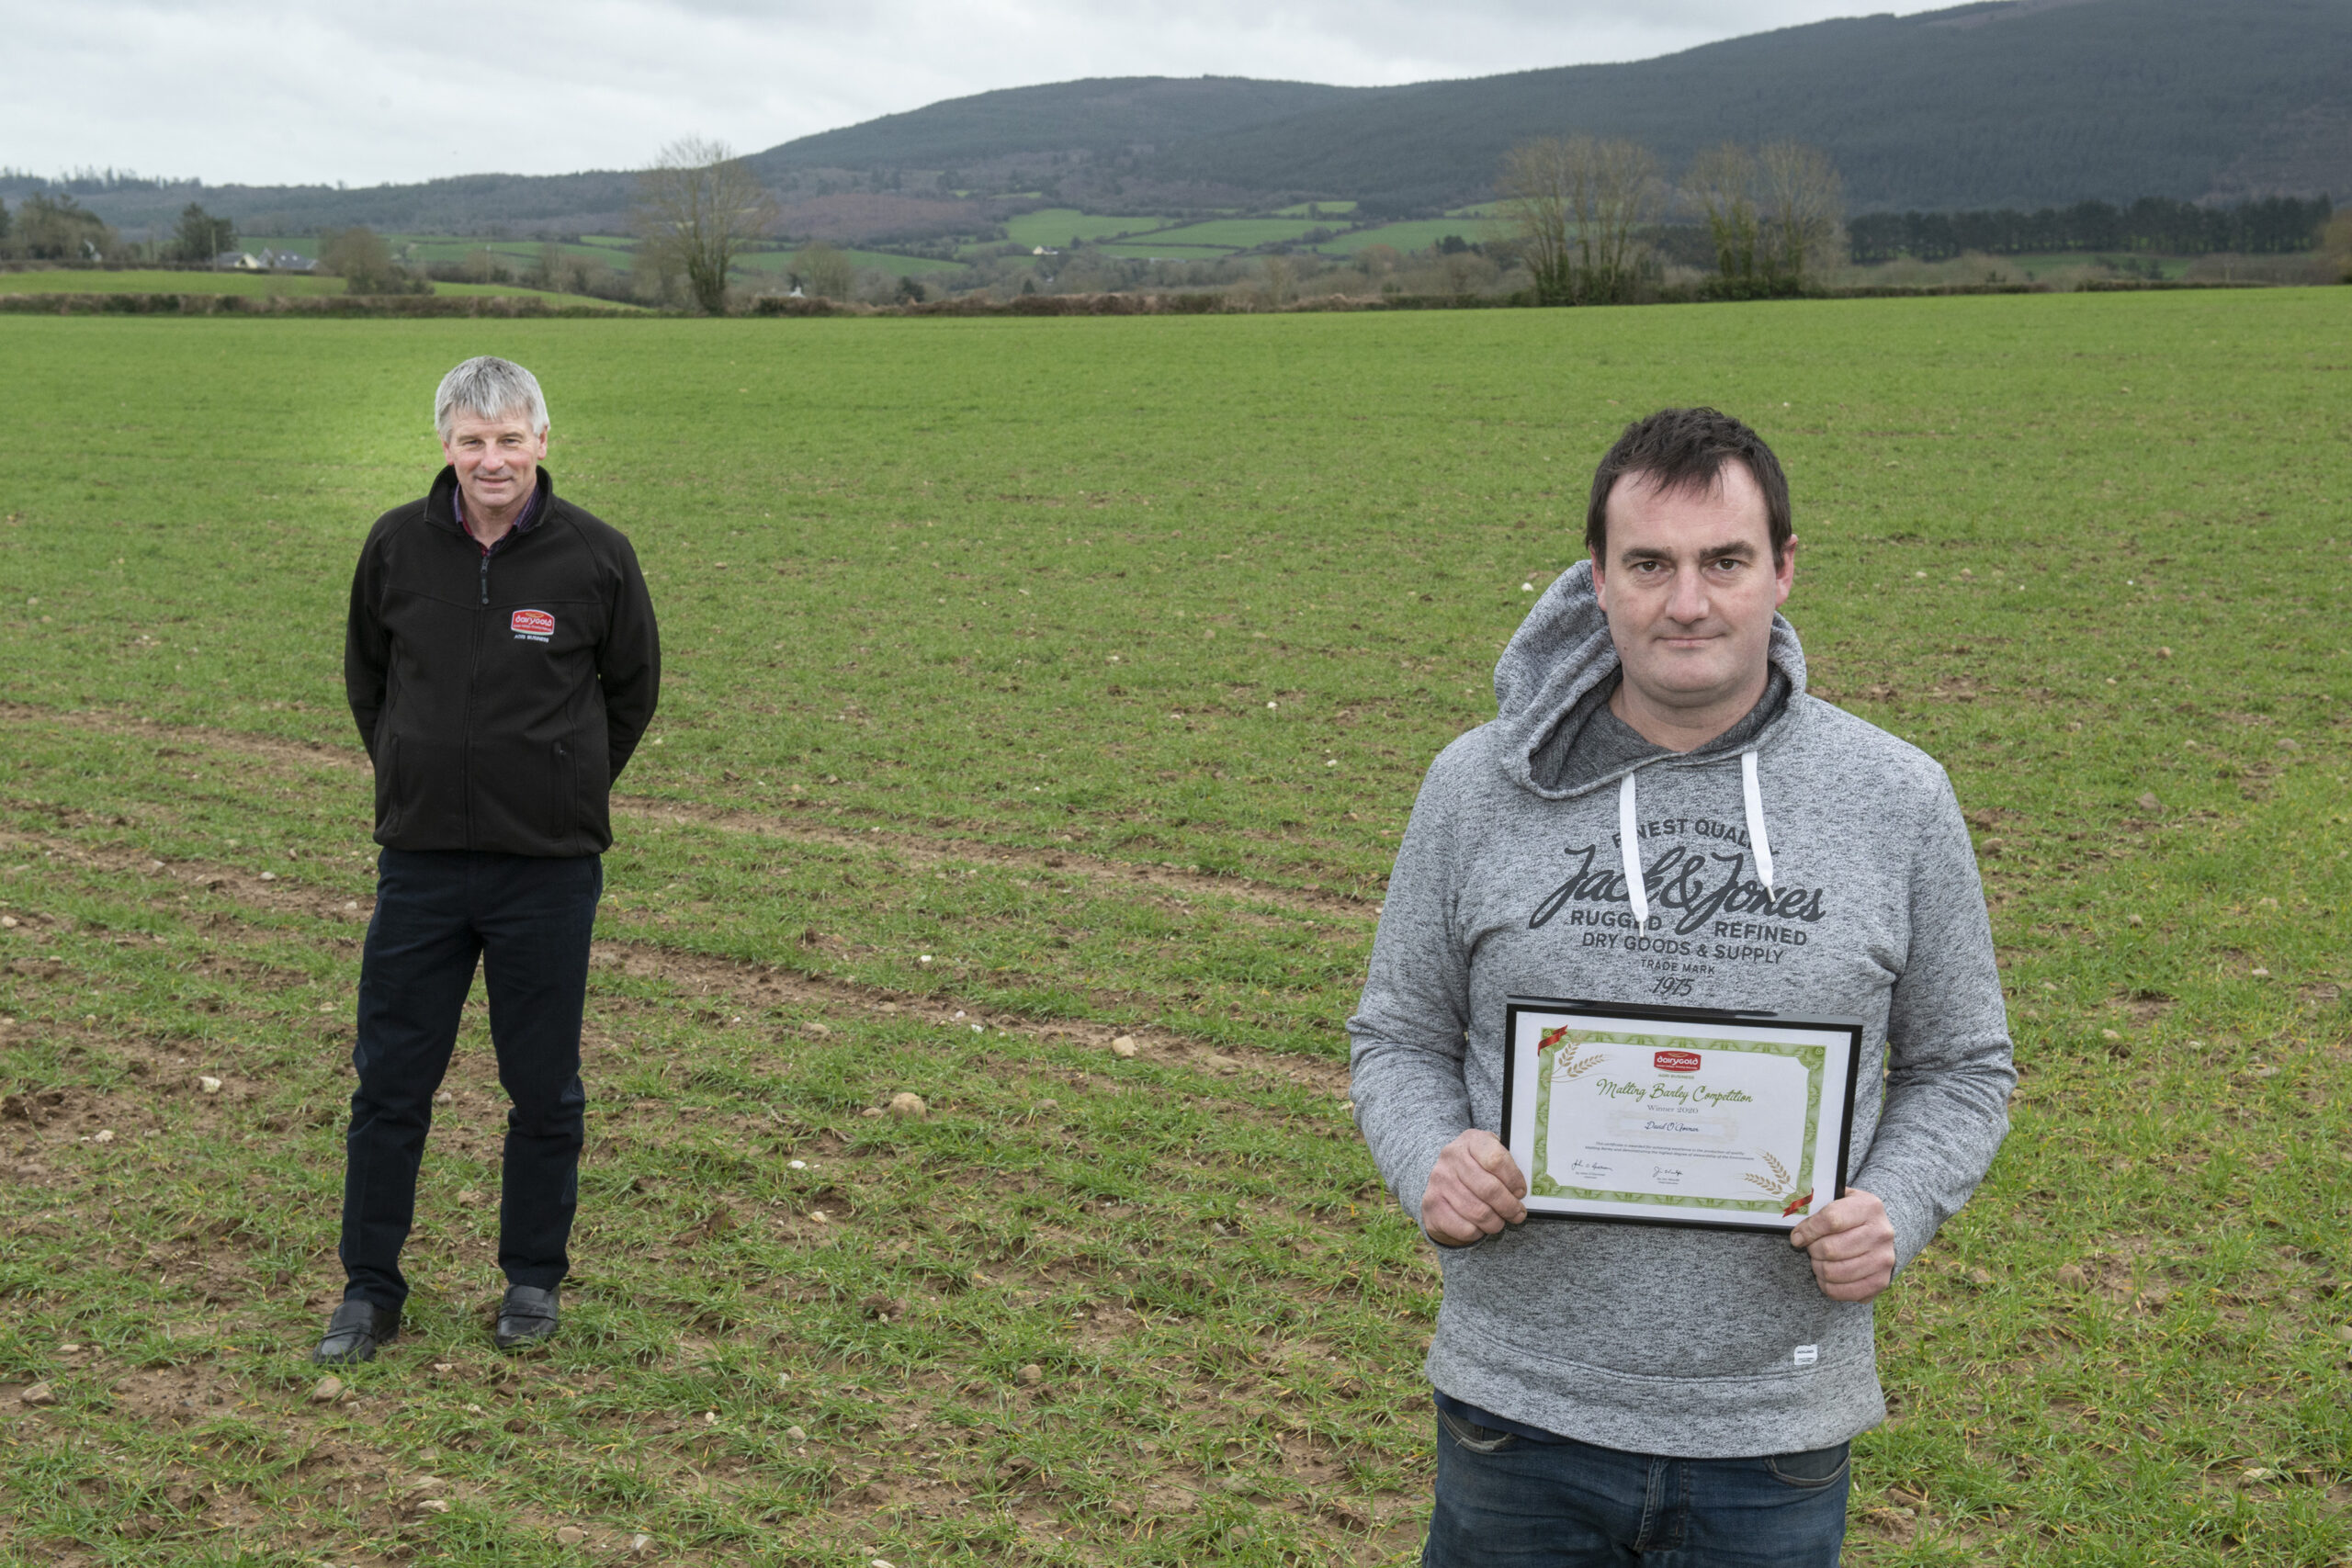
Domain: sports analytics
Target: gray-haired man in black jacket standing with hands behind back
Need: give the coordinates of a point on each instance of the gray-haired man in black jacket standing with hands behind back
(502, 664)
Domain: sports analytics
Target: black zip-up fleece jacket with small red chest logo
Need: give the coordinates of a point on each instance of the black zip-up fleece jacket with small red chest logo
(500, 695)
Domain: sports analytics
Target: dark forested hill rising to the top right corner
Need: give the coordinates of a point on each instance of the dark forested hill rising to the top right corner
(2022, 105)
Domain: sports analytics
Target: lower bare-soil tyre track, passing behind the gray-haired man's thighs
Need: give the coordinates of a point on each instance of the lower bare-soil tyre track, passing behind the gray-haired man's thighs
(711, 977)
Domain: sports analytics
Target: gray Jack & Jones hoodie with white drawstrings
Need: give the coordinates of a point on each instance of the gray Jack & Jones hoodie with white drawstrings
(1862, 899)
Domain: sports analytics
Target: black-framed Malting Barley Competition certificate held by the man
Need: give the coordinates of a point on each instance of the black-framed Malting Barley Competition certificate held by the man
(1678, 1115)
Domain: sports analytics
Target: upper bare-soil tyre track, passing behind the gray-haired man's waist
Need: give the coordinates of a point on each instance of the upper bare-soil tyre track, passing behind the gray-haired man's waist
(918, 850)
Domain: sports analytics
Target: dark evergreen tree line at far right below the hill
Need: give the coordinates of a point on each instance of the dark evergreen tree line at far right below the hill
(2271, 227)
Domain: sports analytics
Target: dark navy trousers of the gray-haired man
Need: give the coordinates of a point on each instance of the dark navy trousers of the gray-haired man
(528, 920)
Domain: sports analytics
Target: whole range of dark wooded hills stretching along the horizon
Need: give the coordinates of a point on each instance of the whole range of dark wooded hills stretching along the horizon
(1993, 105)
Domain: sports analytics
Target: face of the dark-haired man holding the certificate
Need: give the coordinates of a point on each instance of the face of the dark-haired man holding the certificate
(1690, 589)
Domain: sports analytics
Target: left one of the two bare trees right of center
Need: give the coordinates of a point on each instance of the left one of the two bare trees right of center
(1582, 206)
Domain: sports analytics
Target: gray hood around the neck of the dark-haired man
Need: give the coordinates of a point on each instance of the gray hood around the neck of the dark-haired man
(1563, 657)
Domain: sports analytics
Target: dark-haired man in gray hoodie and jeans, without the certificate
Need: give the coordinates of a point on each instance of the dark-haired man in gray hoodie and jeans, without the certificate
(1645, 1393)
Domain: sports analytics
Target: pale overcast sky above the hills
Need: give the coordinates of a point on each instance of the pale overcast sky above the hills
(286, 93)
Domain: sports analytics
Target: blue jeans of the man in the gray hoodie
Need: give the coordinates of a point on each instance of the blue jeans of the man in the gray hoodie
(1516, 1503)
